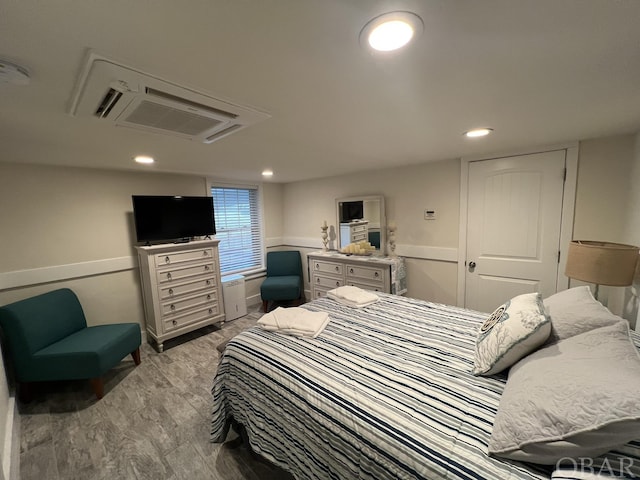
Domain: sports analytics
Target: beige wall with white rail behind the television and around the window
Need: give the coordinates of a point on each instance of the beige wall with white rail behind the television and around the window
(73, 227)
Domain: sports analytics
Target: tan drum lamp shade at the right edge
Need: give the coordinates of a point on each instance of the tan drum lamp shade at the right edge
(602, 263)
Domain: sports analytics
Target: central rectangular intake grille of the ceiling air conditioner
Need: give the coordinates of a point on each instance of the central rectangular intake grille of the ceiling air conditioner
(163, 117)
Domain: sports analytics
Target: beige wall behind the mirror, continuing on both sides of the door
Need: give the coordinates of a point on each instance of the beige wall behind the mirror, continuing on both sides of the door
(607, 197)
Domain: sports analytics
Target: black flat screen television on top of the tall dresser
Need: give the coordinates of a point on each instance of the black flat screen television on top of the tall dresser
(172, 218)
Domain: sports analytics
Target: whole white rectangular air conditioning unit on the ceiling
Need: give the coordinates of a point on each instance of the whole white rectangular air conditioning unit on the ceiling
(130, 98)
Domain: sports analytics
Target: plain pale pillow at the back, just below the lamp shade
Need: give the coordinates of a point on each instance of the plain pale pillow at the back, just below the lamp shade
(575, 311)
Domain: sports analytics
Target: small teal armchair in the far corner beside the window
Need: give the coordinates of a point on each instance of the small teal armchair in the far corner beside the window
(284, 280)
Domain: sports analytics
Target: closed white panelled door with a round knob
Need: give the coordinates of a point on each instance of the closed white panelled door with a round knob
(514, 214)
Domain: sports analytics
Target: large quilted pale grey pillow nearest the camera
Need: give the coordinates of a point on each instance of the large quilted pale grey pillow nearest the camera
(576, 398)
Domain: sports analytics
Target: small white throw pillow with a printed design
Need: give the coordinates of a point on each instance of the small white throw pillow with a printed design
(513, 330)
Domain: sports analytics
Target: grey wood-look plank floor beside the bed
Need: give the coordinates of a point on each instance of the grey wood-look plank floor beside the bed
(153, 422)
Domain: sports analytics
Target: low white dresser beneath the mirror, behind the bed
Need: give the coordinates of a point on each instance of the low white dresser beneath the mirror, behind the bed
(329, 270)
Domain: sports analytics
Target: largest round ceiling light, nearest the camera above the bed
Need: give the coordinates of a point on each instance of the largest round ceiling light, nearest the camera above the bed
(391, 31)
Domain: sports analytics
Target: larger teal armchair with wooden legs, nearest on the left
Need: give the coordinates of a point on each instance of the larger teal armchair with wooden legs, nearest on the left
(47, 338)
